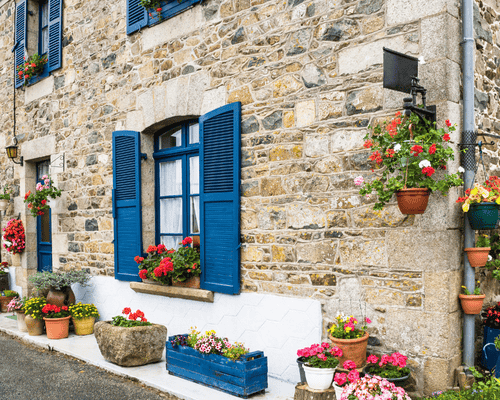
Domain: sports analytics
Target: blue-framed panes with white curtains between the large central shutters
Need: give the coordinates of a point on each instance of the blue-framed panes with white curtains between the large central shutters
(178, 184)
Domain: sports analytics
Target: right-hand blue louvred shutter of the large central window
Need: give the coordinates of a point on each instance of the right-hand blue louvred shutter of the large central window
(220, 199)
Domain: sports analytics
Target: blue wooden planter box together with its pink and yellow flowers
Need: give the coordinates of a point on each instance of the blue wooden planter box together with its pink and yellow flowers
(214, 361)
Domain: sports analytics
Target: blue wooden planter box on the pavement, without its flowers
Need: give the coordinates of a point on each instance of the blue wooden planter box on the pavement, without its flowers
(241, 378)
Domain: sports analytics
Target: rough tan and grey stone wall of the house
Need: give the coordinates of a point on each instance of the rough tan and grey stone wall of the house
(309, 76)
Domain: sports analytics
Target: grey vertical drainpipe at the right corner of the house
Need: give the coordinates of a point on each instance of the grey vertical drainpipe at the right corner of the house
(469, 162)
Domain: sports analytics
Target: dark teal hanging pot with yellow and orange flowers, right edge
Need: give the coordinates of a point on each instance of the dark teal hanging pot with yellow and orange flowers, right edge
(481, 204)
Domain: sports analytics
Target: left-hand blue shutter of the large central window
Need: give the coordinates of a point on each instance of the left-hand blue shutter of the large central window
(127, 204)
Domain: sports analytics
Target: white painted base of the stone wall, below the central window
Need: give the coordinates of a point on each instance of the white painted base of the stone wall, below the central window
(277, 325)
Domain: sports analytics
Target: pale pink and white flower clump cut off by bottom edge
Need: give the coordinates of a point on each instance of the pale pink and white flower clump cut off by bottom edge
(373, 388)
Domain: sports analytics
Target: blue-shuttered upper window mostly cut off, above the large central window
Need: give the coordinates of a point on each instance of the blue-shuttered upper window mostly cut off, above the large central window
(138, 17)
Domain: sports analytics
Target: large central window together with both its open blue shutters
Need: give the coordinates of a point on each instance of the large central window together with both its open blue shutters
(197, 191)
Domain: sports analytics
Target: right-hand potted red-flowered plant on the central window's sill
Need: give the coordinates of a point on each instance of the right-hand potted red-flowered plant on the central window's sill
(186, 265)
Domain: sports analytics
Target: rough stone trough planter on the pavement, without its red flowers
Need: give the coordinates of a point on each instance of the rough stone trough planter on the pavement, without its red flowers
(130, 347)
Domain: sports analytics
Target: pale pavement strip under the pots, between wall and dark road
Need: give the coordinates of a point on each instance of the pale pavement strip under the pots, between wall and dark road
(153, 375)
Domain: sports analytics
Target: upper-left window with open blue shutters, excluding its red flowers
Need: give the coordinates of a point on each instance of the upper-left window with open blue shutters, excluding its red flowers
(38, 30)
